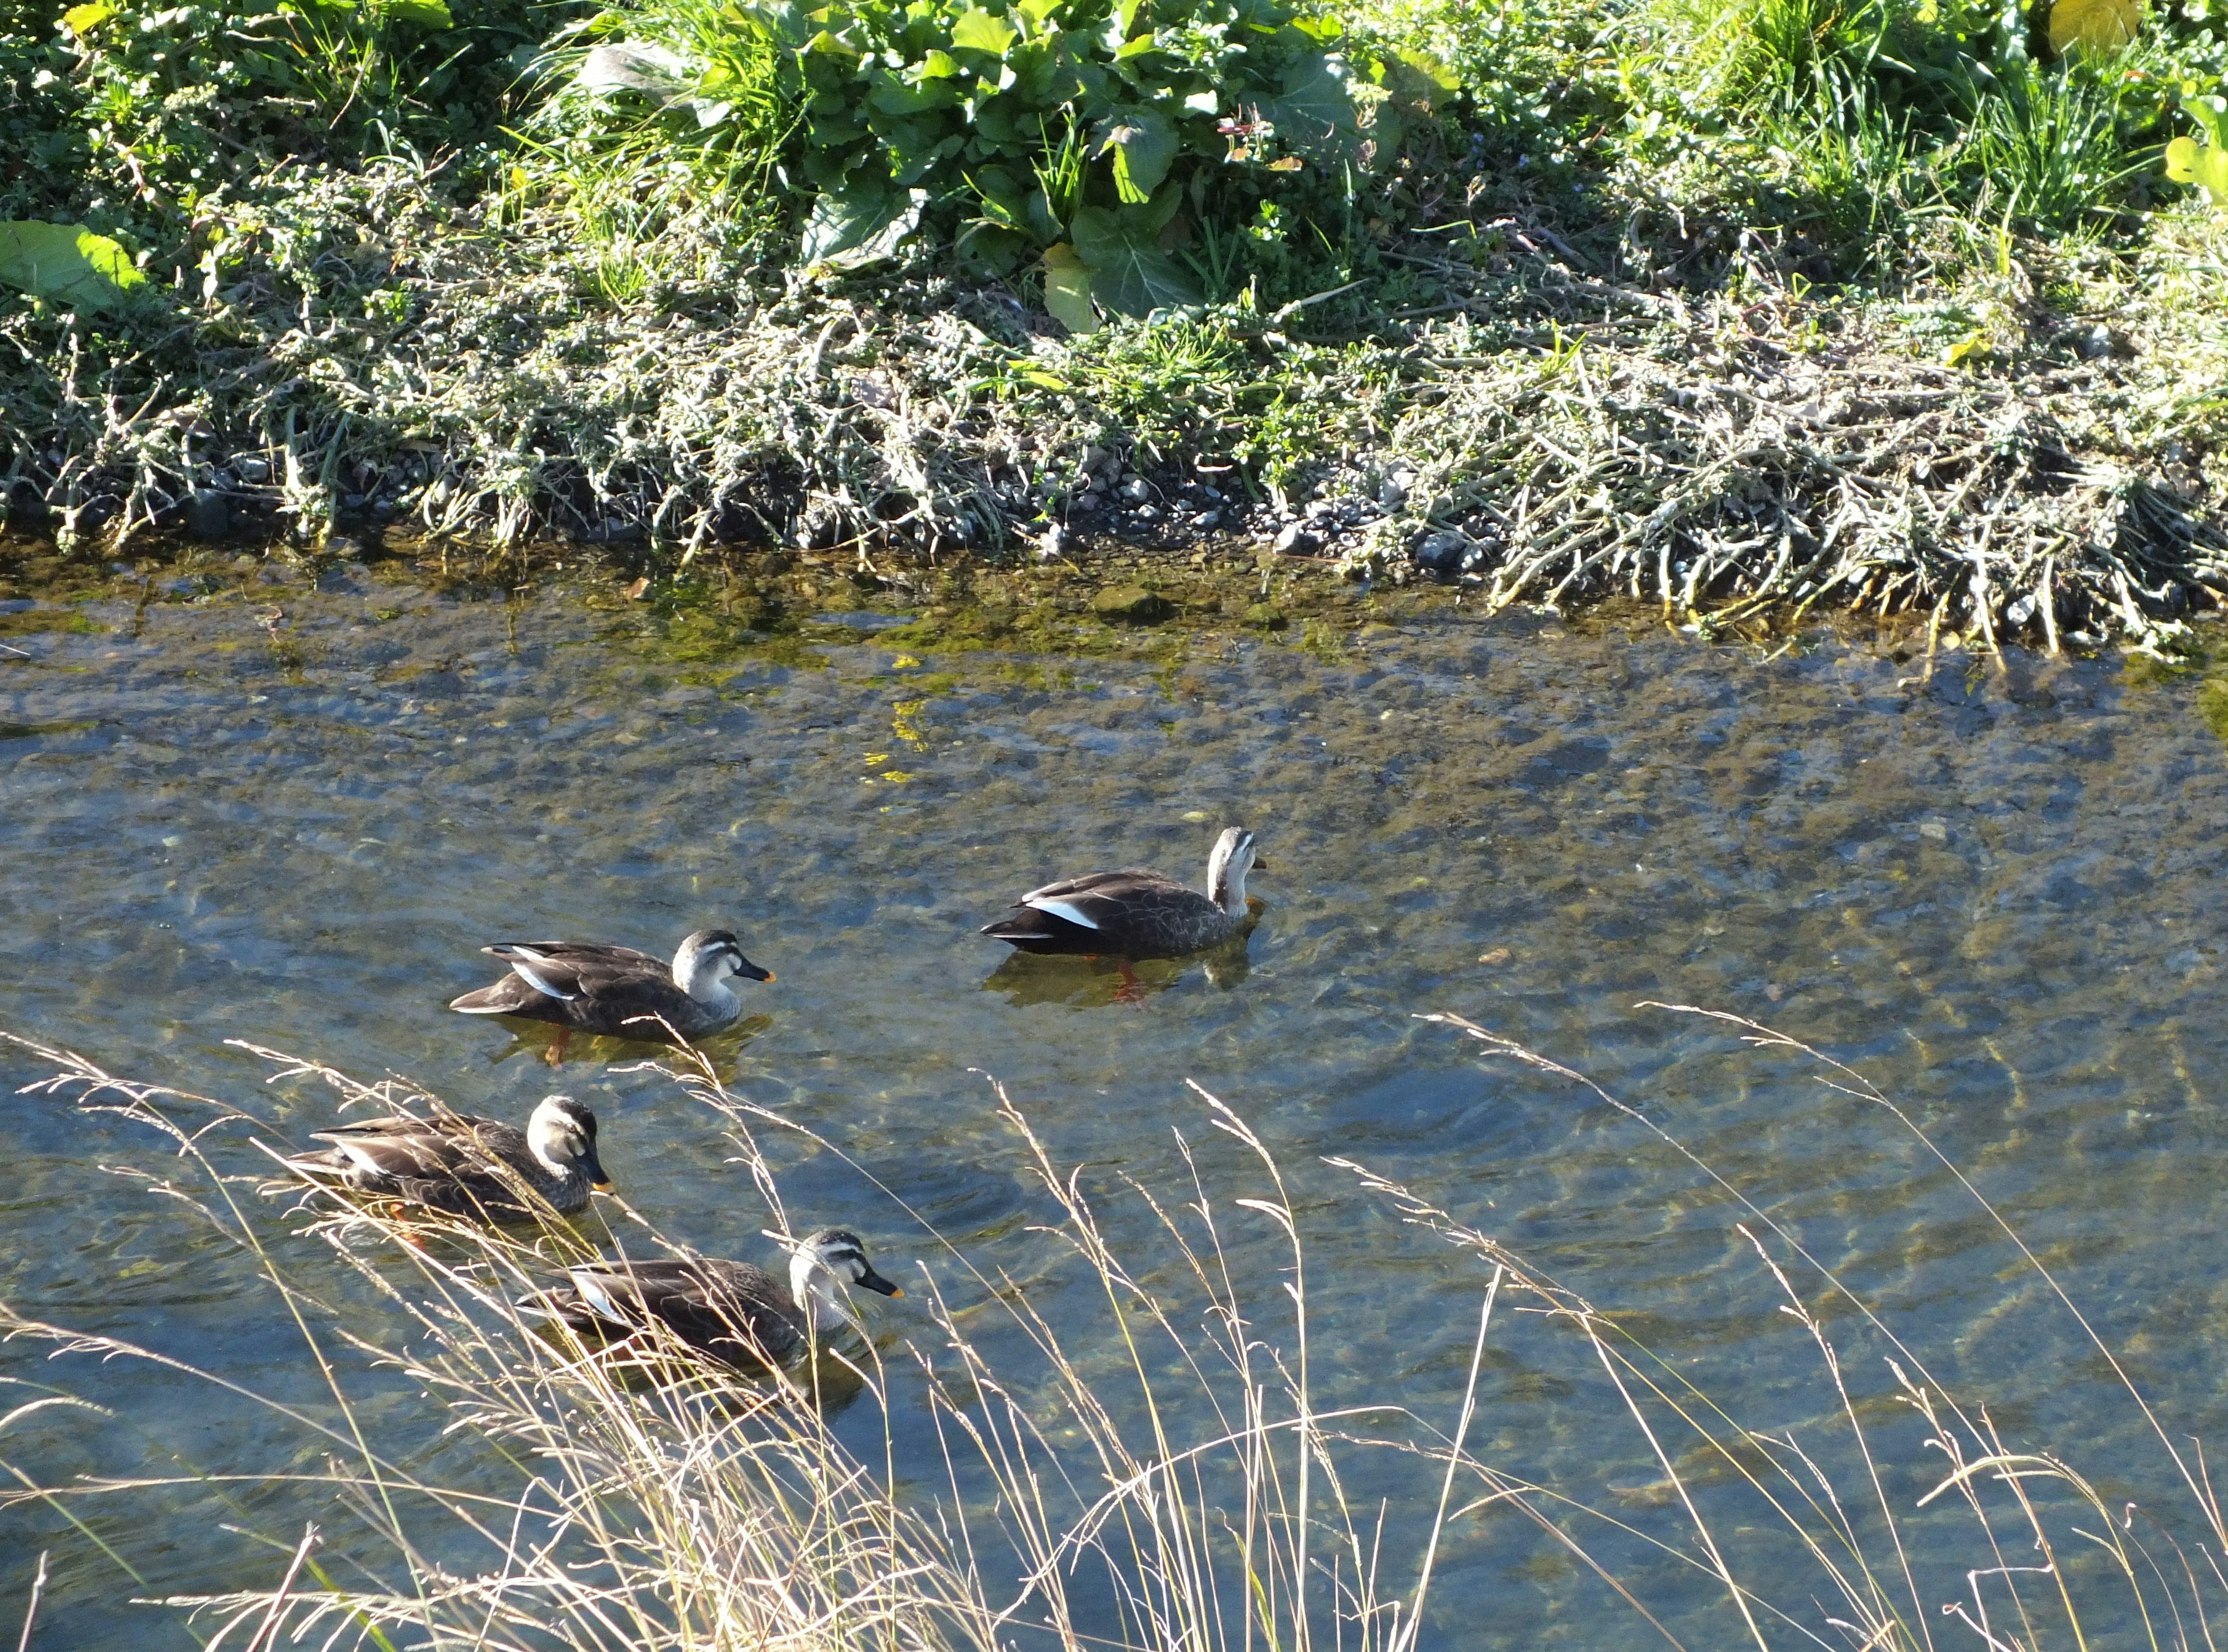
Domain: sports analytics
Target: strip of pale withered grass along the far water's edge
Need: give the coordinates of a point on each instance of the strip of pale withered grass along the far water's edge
(1541, 434)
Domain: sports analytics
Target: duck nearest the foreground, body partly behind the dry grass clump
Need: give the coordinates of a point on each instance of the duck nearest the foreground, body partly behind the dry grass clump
(732, 1312)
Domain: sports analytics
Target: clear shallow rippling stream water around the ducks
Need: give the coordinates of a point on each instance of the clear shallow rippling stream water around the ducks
(295, 817)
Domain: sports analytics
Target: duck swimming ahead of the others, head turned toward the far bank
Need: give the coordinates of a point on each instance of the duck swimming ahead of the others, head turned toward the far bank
(1137, 913)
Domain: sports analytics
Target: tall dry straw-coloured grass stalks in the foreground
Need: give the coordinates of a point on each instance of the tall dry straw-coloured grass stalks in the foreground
(1162, 1470)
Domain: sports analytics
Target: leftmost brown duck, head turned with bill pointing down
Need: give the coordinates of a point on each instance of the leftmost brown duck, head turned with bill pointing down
(467, 1167)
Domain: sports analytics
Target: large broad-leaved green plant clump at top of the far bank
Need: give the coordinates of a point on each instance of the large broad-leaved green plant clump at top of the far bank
(1097, 135)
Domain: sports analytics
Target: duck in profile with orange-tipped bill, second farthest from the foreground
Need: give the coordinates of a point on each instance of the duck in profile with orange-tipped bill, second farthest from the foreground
(587, 987)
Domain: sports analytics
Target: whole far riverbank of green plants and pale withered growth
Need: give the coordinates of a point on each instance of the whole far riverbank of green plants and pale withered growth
(1906, 307)
